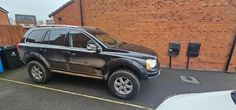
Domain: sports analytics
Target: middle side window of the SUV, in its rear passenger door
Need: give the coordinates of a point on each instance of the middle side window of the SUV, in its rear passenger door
(57, 37)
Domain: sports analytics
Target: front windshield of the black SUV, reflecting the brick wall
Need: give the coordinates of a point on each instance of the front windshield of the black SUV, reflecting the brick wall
(105, 38)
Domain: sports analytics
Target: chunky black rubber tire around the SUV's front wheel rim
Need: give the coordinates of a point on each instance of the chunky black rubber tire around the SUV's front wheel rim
(123, 73)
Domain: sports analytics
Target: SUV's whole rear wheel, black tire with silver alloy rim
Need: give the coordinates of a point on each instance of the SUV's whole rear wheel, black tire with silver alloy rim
(37, 72)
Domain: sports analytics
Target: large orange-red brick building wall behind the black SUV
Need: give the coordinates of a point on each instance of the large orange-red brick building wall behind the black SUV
(156, 23)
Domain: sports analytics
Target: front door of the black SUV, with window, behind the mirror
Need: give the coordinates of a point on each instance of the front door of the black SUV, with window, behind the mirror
(82, 60)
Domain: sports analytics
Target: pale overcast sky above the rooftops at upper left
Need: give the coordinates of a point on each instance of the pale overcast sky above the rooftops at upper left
(39, 8)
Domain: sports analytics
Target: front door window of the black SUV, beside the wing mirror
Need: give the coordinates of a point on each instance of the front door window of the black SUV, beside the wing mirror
(79, 39)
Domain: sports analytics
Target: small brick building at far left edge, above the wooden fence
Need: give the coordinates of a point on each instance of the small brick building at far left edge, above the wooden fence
(4, 17)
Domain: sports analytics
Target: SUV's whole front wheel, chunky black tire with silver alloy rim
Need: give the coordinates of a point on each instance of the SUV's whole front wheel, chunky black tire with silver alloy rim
(124, 84)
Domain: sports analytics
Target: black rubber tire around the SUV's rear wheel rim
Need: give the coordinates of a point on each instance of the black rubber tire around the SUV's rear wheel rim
(45, 74)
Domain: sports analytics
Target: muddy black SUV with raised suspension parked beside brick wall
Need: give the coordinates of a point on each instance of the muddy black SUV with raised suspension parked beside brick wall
(87, 52)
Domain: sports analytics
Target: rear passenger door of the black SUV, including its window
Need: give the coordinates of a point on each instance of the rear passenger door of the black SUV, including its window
(54, 49)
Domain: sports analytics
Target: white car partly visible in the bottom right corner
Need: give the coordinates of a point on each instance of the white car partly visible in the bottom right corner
(223, 100)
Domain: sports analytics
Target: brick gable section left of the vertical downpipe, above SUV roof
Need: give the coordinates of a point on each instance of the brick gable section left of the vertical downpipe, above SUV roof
(69, 15)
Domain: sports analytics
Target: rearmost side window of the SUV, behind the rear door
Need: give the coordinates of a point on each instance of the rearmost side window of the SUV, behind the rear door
(36, 36)
